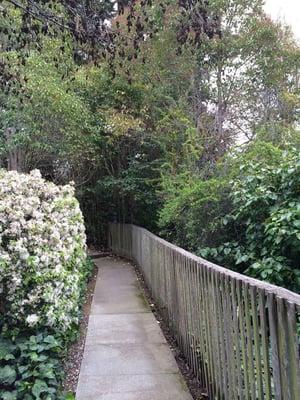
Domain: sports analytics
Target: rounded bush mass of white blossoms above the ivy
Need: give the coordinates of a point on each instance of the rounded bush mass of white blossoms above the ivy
(42, 251)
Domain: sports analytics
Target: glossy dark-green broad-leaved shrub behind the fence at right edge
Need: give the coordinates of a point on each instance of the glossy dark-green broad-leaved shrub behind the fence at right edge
(265, 220)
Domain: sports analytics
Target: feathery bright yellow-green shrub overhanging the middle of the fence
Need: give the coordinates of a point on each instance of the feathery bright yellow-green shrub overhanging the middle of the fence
(191, 209)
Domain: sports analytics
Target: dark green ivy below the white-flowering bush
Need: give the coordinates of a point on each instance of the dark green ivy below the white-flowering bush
(30, 367)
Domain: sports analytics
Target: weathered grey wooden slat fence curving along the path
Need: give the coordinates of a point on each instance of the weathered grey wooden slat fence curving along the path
(238, 334)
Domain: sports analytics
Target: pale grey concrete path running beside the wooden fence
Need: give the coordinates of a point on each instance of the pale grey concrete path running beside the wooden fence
(126, 356)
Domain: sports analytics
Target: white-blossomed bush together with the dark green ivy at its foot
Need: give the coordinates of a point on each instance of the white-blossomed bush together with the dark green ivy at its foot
(43, 276)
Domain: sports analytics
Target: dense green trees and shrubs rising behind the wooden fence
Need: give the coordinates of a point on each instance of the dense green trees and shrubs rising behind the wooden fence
(195, 137)
